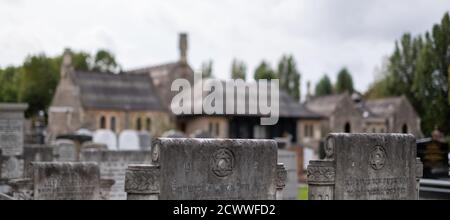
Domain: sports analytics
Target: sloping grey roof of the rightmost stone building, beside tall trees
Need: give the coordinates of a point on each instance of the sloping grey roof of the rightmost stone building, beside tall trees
(383, 107)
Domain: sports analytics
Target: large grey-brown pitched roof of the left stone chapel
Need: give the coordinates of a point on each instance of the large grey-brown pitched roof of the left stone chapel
(117, 91)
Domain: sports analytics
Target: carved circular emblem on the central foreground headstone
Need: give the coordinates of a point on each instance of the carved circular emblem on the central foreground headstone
(222, 162)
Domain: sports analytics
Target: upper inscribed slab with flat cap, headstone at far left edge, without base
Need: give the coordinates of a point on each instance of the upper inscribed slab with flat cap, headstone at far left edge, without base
(11, 129)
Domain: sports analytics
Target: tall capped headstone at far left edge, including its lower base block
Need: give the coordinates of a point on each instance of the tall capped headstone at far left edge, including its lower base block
(11, 140)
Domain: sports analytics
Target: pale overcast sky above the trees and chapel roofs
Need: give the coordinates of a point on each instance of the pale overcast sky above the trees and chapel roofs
(323, 35)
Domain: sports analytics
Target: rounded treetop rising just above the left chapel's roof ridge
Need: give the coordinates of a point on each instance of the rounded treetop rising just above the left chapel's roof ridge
(104, 61)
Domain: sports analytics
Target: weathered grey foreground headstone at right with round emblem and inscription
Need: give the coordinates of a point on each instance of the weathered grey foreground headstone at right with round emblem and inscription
(366, 167)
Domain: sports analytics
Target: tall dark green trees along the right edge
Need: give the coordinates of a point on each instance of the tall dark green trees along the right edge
(419, 69)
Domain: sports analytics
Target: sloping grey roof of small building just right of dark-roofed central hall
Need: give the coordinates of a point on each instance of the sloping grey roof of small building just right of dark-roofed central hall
(325, 105)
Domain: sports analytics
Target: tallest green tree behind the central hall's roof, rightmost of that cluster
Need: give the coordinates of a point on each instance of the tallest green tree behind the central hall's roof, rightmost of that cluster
(289, 76)
